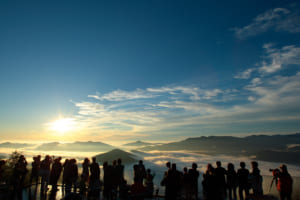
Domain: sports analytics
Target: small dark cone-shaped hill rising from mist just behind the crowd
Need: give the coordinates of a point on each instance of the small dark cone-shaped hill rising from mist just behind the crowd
(115, 154)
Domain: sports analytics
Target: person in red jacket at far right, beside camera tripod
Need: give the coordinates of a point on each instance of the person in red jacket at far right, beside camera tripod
(284, 184)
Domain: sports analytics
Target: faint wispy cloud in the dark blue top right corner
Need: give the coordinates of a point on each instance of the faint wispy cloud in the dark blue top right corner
(278, 19)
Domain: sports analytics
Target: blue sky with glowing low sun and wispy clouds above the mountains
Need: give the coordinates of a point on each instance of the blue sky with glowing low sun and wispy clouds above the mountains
(117, 71)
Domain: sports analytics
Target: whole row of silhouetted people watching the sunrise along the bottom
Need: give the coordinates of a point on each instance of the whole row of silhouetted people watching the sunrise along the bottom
(218, 183)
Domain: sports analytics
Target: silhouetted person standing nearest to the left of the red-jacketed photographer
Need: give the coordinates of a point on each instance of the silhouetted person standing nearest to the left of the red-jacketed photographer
(255, 180)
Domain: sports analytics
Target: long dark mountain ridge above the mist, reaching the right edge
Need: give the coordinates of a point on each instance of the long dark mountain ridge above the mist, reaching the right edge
(263, 147)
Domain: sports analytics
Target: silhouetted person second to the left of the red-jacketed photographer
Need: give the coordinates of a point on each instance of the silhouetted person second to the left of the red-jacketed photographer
(242, 175)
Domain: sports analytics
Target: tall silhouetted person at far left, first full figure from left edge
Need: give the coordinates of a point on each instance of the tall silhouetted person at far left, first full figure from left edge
(19, 173)
